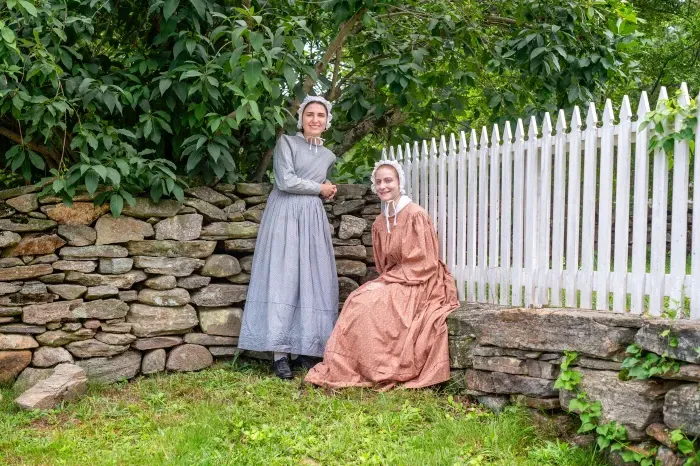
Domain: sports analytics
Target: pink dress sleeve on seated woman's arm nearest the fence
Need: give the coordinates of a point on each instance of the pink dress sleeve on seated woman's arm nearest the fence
(419, 253)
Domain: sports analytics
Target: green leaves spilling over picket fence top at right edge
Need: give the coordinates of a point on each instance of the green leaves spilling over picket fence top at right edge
(671, 122)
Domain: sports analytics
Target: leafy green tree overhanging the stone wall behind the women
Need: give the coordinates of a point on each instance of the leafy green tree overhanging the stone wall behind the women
(142, 96)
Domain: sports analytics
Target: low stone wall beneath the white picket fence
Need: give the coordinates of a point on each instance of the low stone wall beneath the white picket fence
(501, 355)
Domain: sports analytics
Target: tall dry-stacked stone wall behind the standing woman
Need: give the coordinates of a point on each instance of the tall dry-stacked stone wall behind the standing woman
(162, 287)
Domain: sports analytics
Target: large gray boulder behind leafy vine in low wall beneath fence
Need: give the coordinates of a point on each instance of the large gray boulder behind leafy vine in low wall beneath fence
(633, 403)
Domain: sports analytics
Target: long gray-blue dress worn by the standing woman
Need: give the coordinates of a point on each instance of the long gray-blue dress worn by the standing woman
(292, 302)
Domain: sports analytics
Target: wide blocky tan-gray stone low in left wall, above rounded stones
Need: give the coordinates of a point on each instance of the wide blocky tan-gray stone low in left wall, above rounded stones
(149, 321)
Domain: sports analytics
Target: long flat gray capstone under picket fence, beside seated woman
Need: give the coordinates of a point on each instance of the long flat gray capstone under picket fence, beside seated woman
(586, 332)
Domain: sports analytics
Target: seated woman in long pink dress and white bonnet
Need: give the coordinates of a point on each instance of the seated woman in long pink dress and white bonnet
(392, 330)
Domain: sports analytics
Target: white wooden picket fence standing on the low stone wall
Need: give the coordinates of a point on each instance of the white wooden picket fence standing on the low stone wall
(516, 216)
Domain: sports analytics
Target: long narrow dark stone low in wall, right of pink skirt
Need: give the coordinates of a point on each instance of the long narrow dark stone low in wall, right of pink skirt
(500, 383)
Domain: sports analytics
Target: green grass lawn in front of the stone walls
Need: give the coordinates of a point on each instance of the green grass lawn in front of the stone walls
(237, 414)
